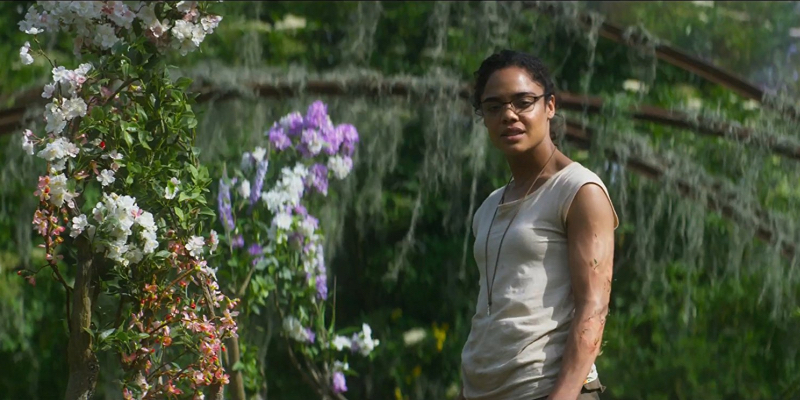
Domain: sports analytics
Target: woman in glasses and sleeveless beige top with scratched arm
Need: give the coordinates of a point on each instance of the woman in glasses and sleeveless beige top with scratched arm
(544, 244)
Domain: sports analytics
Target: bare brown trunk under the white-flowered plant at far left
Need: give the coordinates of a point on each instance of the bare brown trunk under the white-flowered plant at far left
(83, 364)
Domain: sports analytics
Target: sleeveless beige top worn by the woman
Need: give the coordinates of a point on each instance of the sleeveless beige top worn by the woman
(515, 353)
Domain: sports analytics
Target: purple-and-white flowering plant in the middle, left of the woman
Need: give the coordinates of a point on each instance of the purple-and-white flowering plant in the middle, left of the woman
(275, 243)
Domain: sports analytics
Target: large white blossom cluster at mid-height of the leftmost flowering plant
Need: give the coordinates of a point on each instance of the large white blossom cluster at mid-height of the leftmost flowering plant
(117, 216)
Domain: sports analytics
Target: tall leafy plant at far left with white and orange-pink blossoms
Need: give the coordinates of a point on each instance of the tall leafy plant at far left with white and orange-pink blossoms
(123, 180)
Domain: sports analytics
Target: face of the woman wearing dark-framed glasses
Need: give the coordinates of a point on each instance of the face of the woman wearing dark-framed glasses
(523, 124)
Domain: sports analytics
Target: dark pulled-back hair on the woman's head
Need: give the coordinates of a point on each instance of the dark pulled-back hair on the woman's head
(511, 58)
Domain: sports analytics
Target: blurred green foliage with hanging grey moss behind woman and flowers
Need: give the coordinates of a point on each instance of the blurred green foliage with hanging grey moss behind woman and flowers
(703, 307)
